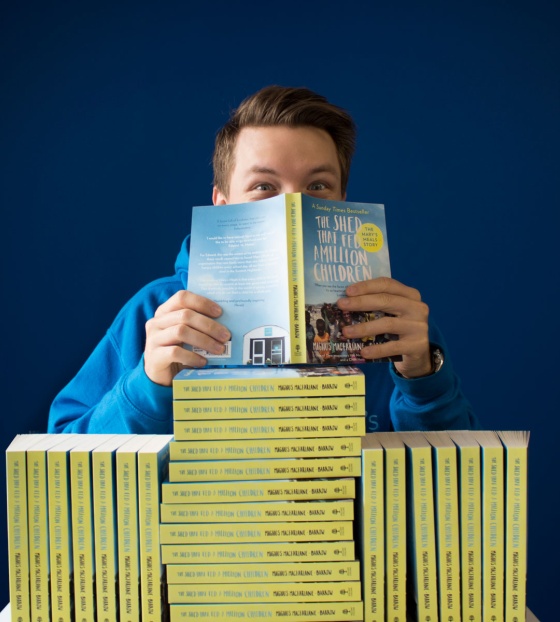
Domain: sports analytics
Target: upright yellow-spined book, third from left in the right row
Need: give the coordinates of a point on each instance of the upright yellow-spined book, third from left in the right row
(422, 529)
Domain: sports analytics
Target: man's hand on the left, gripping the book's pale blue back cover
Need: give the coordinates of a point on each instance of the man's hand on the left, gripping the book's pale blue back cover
(185, 318)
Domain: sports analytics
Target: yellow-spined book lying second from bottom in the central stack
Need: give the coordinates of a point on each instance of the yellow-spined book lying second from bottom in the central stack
(266, 592)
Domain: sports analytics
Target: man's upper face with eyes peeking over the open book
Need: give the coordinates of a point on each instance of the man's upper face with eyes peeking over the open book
(279, 159)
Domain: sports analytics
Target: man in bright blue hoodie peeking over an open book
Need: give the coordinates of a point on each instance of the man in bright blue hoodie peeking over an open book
(279, 140)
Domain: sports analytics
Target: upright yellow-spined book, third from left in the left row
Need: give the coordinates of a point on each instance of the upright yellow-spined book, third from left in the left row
(60, 529)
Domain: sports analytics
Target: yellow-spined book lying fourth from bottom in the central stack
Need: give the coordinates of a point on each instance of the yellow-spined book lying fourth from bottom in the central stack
(257, 552)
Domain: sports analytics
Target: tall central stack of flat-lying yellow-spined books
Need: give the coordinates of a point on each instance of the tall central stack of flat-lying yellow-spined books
(257, 513)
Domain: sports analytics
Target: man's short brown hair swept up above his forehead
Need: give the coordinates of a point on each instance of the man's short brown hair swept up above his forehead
(290, 106)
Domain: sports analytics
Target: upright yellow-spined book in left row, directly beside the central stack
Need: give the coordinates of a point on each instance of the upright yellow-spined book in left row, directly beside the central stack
(153, 461)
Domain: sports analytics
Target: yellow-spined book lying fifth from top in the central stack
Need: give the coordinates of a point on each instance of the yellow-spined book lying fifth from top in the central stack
(273, 468)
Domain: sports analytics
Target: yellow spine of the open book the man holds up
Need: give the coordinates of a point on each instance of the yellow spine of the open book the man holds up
(296, 280)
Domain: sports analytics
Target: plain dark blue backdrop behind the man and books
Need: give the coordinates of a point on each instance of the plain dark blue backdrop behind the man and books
(107, 119)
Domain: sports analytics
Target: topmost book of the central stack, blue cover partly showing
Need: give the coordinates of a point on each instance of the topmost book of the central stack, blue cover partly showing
(259, 382)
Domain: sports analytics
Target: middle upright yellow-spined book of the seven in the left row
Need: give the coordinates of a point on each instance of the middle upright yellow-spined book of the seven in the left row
(83, 546)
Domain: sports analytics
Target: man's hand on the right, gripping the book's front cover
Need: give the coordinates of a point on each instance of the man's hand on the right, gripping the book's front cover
(410, 323)
